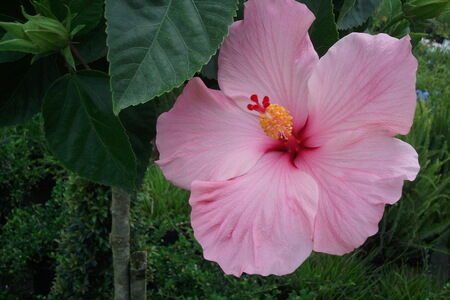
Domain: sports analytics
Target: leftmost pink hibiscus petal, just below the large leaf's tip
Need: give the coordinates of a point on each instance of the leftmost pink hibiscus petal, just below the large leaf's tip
(205, 136)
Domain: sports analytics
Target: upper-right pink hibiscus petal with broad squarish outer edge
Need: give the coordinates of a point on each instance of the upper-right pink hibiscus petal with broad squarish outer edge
(363, 81)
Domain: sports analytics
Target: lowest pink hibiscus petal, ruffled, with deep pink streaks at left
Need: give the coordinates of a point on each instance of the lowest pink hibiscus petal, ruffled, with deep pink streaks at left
(259, 223)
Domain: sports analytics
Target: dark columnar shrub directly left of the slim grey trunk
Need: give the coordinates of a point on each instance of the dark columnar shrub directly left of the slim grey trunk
(84, 269)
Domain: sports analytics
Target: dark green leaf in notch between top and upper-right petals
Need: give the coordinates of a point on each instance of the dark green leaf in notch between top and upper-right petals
(323, 31)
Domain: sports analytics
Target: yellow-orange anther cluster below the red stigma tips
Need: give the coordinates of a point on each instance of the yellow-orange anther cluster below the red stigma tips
(276, 122)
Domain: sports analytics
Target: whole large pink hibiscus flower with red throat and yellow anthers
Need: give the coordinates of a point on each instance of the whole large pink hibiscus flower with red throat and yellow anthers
(294, 154)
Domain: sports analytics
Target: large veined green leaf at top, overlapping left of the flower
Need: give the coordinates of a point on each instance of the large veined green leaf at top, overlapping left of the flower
(155, 46)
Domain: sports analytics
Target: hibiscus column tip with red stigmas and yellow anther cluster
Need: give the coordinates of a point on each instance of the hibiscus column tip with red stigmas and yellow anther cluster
(275, 120)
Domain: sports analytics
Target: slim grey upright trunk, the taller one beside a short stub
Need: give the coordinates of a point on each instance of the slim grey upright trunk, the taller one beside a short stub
(120, 242)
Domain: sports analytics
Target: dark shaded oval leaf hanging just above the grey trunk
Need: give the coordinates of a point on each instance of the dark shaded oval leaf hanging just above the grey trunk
(83, 133)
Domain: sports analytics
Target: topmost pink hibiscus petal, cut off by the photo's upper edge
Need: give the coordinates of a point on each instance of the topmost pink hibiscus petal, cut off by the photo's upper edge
(269, 53)
